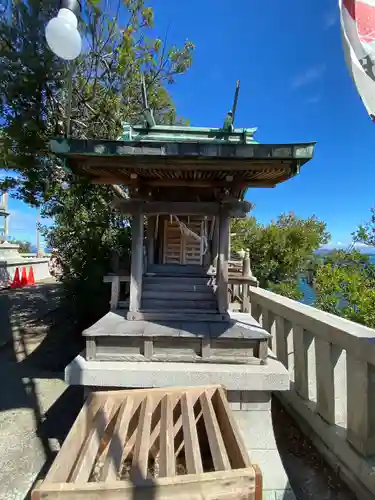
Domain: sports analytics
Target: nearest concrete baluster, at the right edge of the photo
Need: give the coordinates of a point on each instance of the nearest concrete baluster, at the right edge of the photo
(360, 405)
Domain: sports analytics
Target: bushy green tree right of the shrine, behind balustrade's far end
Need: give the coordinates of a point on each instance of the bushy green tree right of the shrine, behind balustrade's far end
(279, 251)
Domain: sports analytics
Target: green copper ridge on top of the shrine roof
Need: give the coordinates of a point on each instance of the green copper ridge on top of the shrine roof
(176, 133)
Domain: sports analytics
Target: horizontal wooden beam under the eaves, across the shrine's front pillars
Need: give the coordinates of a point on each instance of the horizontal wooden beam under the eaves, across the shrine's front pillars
(232, 208)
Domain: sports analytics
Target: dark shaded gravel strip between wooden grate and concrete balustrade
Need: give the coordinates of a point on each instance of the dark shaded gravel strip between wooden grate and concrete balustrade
(310, 477)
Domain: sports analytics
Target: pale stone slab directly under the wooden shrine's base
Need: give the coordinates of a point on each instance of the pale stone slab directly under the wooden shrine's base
(264, 378)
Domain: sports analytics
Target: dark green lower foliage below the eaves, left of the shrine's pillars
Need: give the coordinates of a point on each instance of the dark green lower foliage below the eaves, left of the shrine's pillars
(85, 234)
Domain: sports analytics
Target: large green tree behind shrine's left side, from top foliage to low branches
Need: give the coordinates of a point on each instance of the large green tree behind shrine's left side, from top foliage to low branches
(105, 91)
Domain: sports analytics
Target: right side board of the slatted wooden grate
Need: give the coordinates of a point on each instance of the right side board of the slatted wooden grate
(233, 441)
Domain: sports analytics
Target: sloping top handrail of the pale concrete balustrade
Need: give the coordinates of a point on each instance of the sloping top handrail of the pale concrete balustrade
(338, 331)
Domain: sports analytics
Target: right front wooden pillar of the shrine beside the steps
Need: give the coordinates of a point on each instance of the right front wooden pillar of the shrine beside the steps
(222, 264)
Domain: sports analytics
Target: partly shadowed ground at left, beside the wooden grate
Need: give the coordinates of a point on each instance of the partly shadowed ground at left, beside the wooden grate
(37, 340)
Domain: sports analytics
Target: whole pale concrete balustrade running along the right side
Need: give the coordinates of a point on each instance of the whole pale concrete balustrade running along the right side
(332, 365)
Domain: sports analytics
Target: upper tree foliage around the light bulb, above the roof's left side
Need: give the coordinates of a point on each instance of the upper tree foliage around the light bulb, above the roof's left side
(105, 81)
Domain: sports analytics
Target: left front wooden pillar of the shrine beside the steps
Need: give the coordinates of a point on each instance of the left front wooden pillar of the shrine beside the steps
(136, 263)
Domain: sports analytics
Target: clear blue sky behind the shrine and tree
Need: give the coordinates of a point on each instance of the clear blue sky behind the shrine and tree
(295, 87)
